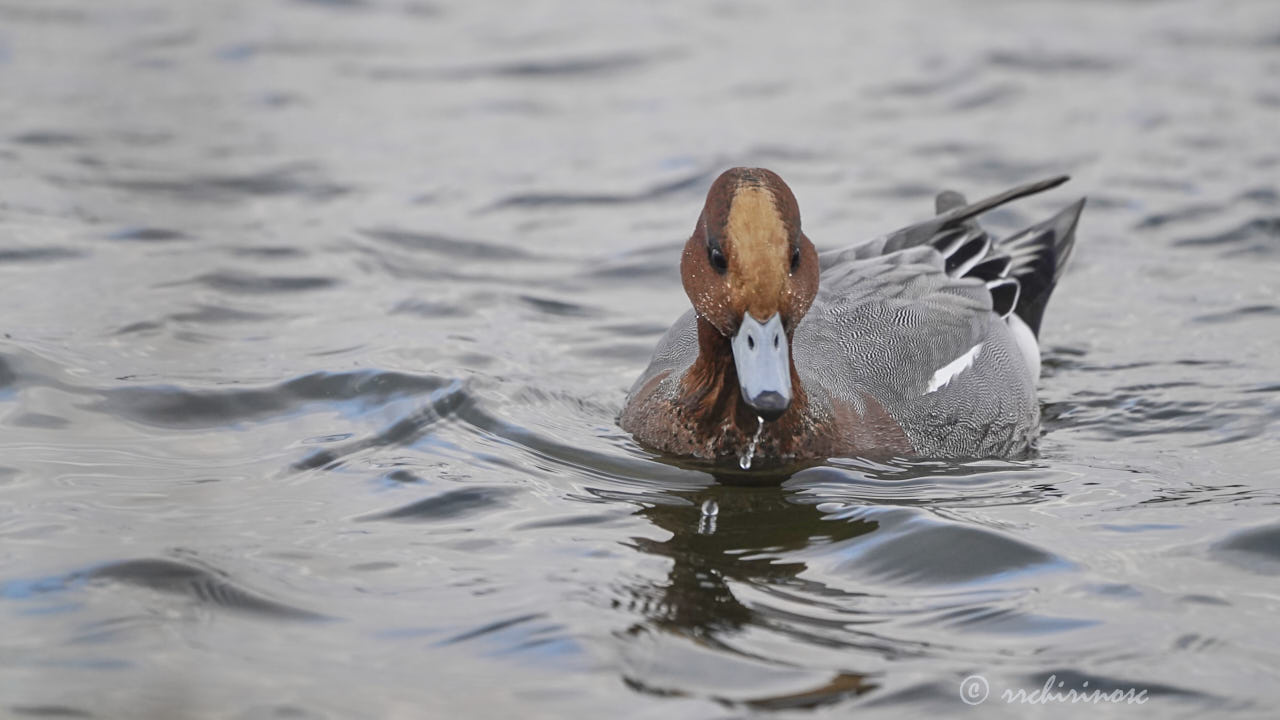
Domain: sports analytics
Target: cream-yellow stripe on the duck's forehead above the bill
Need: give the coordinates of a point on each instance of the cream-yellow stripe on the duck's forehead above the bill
(758, 240)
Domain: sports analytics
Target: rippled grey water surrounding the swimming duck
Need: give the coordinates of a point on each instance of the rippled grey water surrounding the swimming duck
(318, 317)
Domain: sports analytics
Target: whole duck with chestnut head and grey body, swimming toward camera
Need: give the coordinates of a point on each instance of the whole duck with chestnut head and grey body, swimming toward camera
(920, 344)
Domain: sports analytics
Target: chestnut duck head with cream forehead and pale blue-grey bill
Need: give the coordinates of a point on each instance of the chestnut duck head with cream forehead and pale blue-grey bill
(752, 276)
